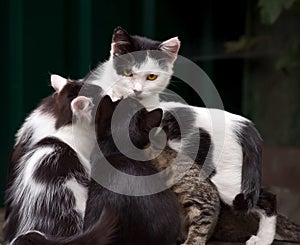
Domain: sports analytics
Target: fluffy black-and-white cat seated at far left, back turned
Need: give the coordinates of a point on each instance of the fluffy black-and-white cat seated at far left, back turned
(50, 189)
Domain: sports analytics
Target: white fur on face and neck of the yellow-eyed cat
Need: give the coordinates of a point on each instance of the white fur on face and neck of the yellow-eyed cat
(118, 86)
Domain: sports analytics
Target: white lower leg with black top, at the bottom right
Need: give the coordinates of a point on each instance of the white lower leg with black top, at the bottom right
(266, 208)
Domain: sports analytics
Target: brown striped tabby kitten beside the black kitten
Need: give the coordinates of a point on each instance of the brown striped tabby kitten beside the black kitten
(198, 197)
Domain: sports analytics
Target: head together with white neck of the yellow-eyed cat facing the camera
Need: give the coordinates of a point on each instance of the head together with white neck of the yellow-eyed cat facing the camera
(145, 80)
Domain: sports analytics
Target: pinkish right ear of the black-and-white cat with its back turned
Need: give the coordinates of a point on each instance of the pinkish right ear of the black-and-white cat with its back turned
(82, 106)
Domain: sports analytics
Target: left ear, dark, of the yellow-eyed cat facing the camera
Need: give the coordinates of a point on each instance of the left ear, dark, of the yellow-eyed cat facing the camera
(121, 40)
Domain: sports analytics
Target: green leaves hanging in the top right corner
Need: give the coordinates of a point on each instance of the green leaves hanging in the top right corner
(270, 10)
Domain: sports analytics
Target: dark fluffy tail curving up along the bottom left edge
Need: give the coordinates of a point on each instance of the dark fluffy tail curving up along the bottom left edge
(102, 233)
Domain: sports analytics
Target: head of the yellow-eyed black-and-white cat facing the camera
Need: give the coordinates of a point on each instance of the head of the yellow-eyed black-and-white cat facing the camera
(143, 66)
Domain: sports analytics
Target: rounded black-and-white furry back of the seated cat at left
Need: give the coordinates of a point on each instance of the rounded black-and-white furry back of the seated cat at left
(49, 193)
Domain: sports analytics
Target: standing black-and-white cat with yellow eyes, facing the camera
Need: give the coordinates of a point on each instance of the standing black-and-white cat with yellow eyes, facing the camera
(236, 157)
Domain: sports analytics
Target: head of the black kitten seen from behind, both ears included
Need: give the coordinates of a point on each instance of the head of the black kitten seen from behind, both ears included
(129, 112)
